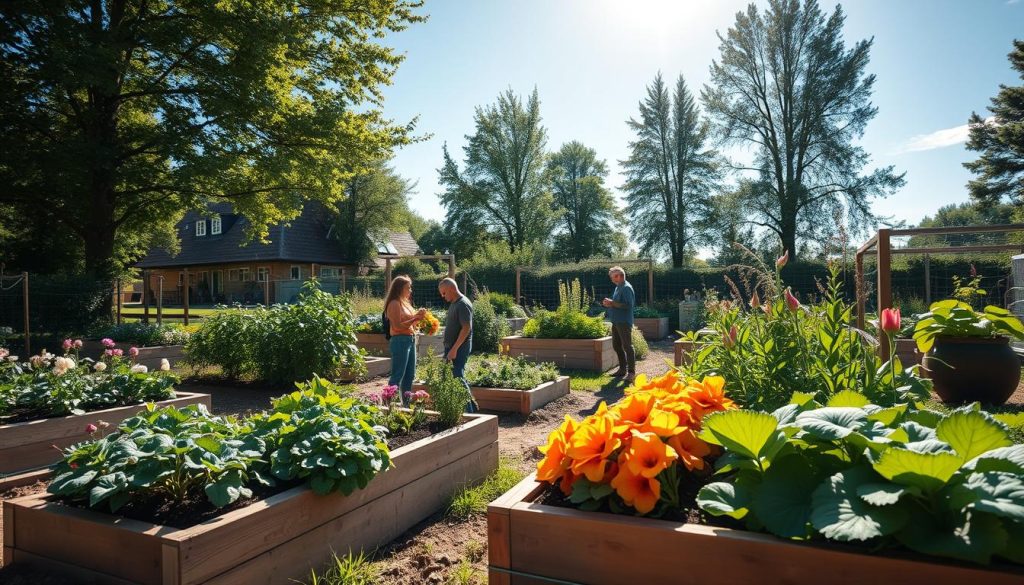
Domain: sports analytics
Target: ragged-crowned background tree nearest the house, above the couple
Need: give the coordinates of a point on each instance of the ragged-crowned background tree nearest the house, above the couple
(501, 187)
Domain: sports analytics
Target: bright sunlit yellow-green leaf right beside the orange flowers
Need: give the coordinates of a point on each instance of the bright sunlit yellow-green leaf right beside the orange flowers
(753, 435)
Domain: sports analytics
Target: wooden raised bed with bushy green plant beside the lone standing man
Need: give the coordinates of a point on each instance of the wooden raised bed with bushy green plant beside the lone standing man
(567, 337)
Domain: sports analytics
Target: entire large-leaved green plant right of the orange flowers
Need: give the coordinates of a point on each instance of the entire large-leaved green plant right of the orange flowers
(947, 485)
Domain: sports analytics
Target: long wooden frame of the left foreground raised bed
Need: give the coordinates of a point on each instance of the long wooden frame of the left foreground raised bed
(269, 542)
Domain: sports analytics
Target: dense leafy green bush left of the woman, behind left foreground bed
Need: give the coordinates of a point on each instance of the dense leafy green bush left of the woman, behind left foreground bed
(283, 344)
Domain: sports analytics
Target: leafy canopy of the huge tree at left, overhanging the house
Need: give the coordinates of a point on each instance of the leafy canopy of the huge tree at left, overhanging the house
(117, 116)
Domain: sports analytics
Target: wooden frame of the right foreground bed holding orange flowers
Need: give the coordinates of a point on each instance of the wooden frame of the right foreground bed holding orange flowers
(533, 544)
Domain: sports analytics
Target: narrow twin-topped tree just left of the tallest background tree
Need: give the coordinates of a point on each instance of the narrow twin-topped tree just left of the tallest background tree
(671, 174)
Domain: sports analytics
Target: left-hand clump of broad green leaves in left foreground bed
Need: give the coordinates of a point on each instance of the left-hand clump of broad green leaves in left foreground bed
(173, 454)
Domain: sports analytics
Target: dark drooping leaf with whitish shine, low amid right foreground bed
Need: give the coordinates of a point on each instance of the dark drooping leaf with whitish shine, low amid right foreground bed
(840, 514)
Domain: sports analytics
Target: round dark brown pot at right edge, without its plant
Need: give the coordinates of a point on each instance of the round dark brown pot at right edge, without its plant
(970, 369)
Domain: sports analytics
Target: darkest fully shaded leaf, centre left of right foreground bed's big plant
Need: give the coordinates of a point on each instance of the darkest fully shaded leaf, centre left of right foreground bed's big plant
(783, 502)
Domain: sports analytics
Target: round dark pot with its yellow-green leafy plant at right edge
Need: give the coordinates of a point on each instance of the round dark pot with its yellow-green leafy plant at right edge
(968, 354)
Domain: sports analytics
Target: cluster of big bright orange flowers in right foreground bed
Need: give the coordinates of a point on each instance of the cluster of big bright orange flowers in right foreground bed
(628, 445)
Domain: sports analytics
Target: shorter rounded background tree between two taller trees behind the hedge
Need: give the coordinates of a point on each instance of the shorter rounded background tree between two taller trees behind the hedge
(590, 224)
